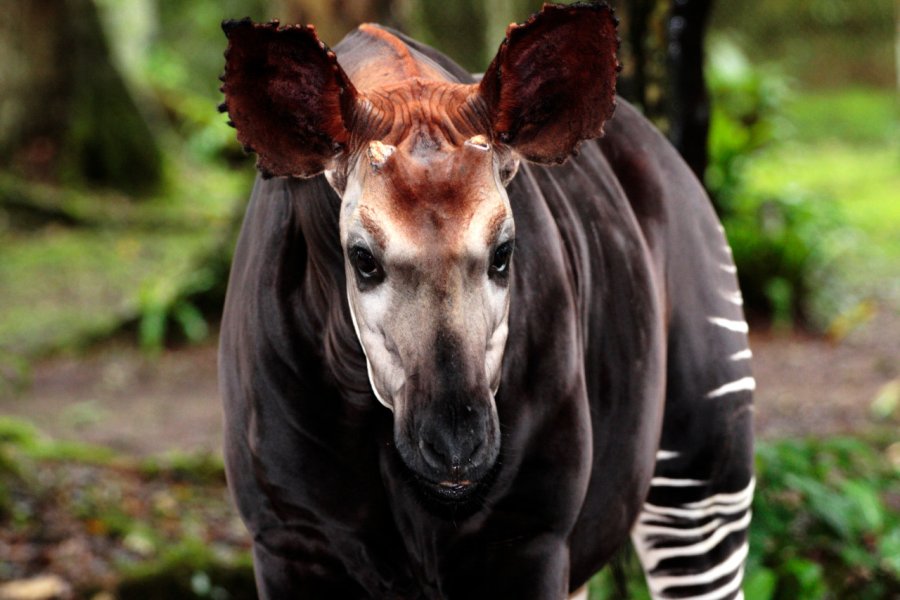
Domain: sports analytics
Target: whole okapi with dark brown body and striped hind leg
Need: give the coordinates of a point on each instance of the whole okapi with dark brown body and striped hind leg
(458, 360)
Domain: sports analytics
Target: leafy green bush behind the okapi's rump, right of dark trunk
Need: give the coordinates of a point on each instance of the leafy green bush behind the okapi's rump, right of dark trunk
(783, 240)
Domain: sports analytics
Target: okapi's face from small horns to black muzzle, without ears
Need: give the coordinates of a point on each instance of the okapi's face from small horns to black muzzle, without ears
(428, 236)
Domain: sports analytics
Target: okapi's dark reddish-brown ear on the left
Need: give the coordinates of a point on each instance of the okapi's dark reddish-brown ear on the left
(286, 95)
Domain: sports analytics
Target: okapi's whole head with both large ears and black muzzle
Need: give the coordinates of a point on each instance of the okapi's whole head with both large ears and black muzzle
(421, 163)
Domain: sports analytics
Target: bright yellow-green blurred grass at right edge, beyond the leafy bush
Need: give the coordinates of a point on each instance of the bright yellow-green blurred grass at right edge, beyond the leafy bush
(845, 150)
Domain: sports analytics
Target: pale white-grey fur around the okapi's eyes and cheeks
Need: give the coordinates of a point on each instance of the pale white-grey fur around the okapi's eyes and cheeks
(396, 318)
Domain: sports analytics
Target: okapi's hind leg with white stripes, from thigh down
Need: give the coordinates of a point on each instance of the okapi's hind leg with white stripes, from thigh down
(691, 535)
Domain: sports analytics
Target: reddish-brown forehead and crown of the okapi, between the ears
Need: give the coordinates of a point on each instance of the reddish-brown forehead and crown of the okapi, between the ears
(434, 182)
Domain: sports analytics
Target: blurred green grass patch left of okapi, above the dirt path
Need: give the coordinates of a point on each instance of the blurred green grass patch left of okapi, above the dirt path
(60, 286)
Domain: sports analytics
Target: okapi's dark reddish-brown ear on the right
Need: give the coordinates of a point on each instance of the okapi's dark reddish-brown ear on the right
(553, 81)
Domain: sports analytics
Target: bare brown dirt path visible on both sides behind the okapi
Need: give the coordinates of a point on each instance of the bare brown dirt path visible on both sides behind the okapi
(117, 397)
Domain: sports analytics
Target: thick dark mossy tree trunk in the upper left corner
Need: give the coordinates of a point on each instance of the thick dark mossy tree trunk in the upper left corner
(65, 112)
